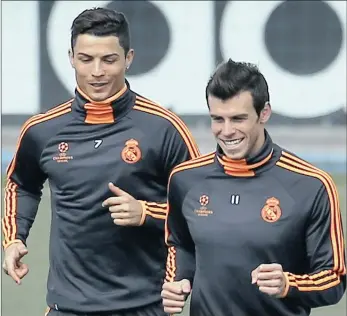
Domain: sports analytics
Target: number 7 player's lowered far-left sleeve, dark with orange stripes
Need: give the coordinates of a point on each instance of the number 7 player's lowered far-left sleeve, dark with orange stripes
(23, 190)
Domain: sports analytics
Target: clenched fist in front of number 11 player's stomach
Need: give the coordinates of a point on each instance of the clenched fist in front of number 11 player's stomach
(270, 279)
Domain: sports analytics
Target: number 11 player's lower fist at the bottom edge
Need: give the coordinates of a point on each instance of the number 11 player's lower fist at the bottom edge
(174, 295)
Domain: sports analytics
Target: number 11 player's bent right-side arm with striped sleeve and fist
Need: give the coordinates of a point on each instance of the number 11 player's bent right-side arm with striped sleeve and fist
(325, 248)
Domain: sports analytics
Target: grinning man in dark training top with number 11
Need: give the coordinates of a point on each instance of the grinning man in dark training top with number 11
(252, 228)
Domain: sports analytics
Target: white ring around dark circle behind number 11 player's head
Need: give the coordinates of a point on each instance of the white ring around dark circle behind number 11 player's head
(242, 39)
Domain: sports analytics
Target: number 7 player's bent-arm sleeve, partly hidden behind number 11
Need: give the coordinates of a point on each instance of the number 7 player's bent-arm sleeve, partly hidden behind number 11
(178, 146)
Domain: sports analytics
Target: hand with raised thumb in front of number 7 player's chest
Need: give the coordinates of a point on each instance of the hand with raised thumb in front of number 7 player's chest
(125, 210)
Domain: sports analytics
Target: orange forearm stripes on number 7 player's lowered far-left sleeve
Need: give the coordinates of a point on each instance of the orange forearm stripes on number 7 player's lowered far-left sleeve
(9, 221)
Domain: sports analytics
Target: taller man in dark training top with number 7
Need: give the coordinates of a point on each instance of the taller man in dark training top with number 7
(106, 153)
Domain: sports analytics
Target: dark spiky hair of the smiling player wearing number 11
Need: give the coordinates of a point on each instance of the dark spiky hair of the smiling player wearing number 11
(232, 78)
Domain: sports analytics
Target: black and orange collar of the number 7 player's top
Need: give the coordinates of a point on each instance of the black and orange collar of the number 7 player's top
(104, 112)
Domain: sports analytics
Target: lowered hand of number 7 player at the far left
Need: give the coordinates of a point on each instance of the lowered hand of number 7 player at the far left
(12, 262)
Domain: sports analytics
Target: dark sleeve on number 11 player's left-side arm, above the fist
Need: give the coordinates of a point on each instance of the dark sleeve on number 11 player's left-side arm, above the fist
(181, 249)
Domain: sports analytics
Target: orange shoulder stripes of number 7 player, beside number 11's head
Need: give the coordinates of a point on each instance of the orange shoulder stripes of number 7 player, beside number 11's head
(174, 119)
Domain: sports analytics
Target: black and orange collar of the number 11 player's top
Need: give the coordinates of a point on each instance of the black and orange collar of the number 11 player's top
(250, 166)
